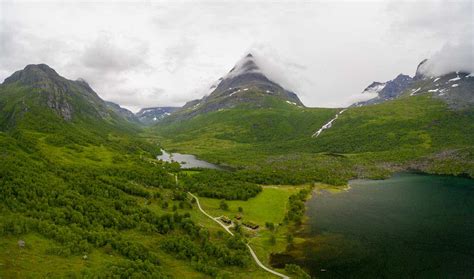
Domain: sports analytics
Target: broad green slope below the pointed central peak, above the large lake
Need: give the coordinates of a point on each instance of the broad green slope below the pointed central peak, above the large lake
(273, 145)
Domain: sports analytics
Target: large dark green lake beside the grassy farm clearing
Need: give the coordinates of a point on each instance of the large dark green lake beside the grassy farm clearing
(409, 226)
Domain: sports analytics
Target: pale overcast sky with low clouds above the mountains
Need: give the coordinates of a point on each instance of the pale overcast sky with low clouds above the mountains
(145, 54)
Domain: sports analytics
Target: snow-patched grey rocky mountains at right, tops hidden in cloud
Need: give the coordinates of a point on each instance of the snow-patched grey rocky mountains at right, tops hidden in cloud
(456, 88)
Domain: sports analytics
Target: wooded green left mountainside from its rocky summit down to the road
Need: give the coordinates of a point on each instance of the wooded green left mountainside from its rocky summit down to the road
(87, 196)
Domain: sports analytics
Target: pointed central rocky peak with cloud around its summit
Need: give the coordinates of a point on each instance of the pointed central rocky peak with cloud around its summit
(245, 84)
